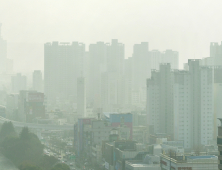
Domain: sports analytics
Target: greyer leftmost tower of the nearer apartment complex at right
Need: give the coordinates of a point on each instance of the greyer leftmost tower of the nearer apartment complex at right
(160, 101)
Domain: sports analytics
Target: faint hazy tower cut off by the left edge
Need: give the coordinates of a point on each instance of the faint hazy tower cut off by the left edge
(3, 52)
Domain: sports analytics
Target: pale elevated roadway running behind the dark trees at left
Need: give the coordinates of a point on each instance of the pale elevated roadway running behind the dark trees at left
(38, 126)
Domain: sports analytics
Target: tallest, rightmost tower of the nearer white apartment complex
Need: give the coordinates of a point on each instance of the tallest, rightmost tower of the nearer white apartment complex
(202, 102)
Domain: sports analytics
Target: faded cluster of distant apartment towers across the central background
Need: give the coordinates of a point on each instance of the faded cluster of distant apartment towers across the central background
(111, 82)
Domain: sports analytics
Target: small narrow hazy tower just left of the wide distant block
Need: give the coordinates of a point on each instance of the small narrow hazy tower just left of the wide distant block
(37, 81)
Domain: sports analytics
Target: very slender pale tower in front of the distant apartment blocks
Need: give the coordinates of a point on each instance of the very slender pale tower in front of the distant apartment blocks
(81, 97)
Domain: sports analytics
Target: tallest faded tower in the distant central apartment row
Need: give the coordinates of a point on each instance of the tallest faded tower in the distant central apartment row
(112, 80)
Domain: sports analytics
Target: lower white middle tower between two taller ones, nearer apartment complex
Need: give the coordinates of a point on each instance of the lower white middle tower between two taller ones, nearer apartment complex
(182, 107)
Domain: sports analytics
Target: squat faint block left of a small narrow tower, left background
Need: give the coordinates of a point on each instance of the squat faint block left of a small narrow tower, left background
(18, 82)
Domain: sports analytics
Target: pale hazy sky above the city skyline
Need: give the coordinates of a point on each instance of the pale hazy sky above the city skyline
(187, 26)
